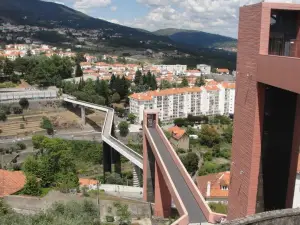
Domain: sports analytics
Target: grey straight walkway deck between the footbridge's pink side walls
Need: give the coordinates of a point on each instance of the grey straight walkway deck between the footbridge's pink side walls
(194, 211)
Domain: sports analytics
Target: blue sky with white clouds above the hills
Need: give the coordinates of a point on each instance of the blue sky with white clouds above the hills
(213, 16)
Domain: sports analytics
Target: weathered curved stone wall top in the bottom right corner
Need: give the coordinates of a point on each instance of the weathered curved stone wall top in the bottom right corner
(277, 217)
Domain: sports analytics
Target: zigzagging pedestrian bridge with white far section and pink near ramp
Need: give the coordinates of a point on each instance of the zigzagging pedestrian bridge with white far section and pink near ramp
(164, 176)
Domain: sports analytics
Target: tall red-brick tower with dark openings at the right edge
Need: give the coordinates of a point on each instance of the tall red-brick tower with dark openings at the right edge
(267, 109)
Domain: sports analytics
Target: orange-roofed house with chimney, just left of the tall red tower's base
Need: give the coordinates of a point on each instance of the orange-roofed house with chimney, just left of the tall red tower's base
(215, 187)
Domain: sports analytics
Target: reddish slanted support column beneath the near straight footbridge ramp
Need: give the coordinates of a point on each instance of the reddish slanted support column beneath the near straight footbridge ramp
(163, 199)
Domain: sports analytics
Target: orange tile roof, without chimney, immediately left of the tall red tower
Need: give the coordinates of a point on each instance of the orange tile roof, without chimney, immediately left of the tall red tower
(217, 180)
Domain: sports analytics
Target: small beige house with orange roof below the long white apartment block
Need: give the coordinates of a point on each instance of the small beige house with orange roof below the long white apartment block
(179, 138)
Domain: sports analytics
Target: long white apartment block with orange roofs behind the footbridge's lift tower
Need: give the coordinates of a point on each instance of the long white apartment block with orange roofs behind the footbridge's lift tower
(174, 103)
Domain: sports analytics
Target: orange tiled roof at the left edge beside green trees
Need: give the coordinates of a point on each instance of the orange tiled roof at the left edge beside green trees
(11, 182)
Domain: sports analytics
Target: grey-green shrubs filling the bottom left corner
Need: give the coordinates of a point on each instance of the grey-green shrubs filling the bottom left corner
(71, 213)
